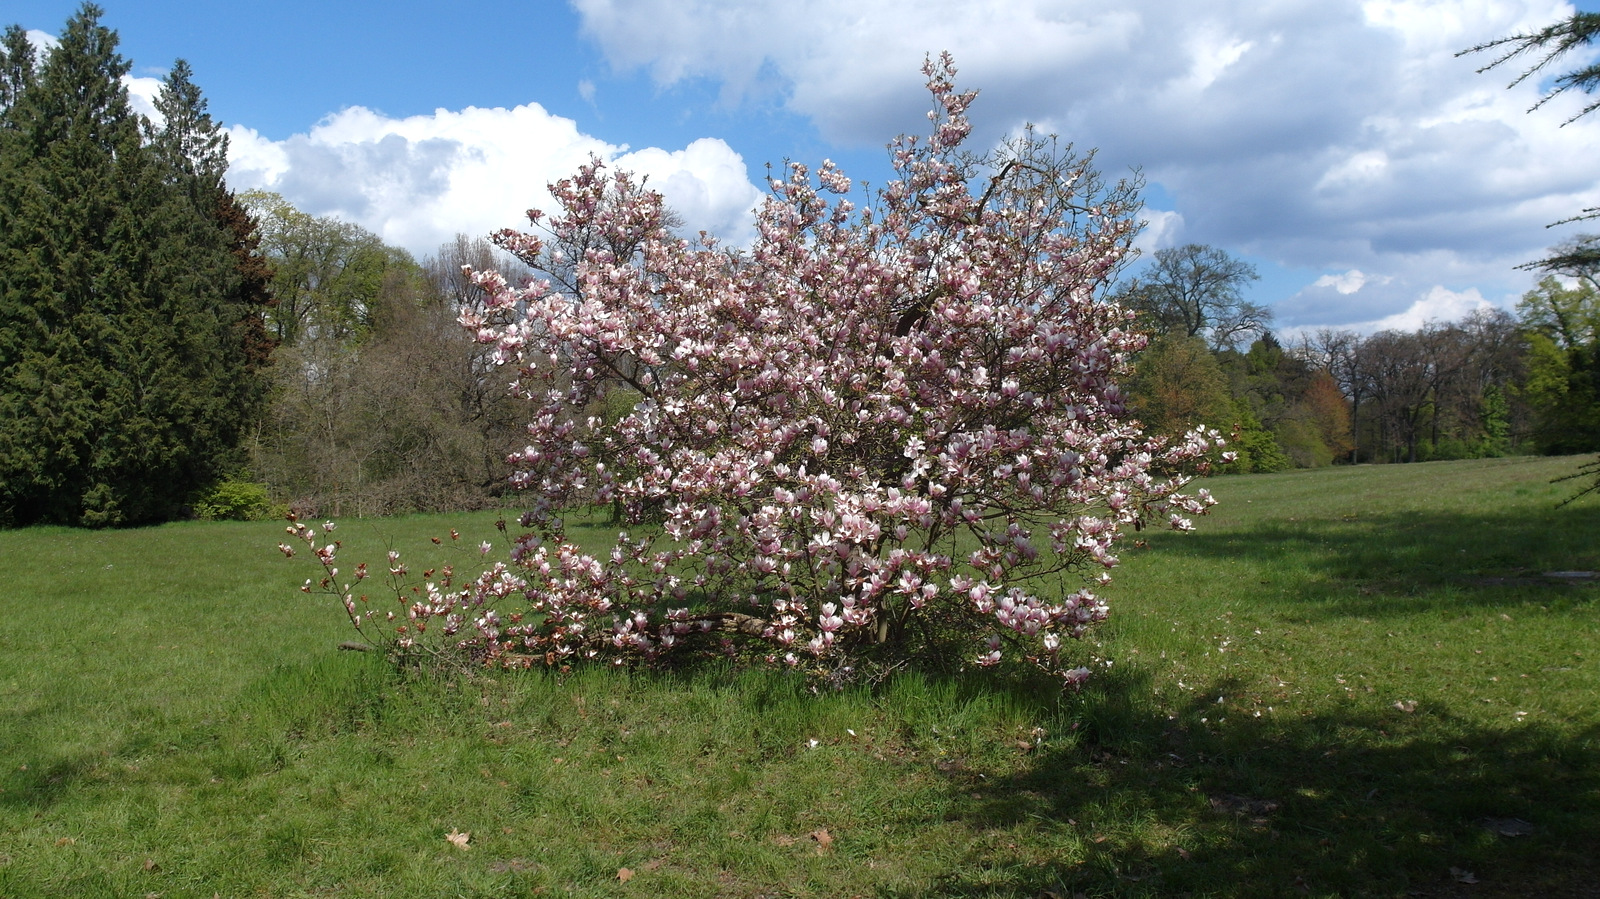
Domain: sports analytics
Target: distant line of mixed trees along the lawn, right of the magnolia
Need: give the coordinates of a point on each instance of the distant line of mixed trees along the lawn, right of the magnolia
(1489, 385)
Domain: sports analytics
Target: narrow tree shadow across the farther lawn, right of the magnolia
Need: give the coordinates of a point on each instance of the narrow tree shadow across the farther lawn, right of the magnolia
(1414, 562)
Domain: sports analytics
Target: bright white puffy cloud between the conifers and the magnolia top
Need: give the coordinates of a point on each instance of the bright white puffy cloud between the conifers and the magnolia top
(422, 180)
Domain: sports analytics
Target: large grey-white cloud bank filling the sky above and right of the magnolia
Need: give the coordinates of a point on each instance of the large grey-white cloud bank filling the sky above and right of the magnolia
(1327, 135)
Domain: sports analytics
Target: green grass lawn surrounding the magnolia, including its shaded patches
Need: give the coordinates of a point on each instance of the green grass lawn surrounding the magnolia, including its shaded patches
(175, 721)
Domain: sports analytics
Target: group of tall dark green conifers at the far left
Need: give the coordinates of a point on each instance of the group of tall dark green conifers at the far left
(126, 382)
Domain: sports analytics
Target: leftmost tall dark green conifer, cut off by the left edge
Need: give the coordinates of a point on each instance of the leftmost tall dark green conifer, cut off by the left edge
(73, 150)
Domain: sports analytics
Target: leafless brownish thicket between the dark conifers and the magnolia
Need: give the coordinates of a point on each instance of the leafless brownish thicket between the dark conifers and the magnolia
(410, 417)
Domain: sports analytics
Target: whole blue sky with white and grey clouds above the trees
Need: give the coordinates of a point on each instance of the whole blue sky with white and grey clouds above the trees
(1338, 145)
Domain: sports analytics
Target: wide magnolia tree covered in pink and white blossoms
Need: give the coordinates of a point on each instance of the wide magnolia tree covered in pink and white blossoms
(882, 431)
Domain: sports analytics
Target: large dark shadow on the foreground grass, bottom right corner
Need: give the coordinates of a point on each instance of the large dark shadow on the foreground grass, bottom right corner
(1145, 802)
